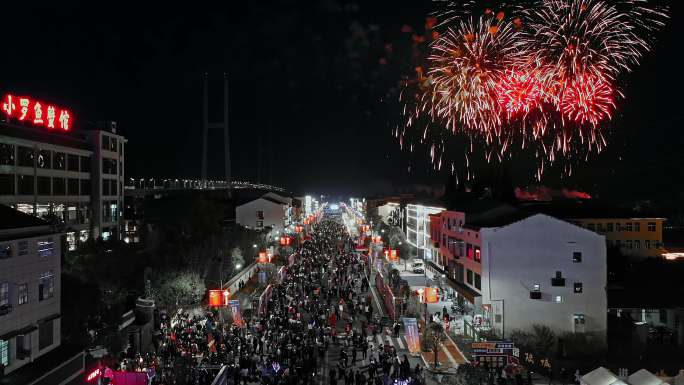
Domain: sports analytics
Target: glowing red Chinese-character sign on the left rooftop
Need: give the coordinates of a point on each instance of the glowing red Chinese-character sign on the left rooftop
(25, 109)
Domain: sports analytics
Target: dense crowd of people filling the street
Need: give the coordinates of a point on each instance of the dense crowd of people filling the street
(316, 327)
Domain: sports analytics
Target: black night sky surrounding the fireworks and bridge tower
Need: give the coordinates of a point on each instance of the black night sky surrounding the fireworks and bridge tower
(307, 87)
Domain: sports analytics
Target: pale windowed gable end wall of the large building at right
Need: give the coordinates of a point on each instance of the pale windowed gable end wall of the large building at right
(517, 256)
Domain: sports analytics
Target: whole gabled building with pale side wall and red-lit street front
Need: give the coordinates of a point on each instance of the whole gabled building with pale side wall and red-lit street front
(518, 269)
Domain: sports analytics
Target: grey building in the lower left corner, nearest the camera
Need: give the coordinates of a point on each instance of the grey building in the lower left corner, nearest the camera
(30, 313)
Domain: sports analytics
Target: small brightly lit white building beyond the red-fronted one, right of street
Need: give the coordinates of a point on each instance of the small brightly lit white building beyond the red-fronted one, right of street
(418, 229)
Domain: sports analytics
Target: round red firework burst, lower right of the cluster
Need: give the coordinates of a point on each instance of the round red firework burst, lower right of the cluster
(588, 99)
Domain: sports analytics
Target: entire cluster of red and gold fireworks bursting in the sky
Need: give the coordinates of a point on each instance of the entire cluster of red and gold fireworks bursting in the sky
(541, 76)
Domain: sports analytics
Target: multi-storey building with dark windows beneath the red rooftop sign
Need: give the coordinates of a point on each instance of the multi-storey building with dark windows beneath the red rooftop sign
(71, 178)
